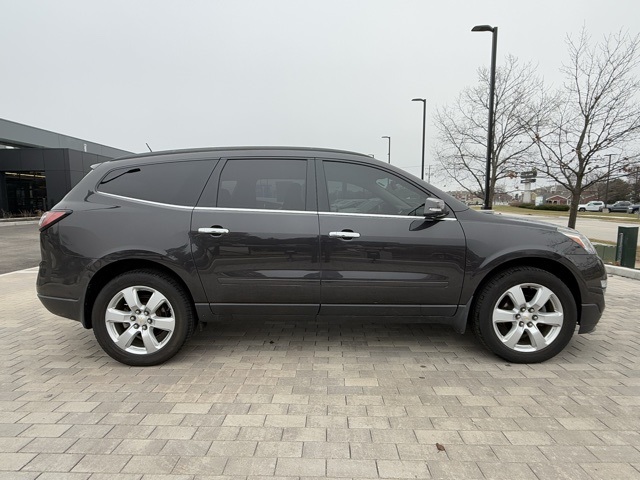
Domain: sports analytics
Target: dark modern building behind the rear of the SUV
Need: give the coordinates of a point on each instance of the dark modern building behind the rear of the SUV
(38, 167)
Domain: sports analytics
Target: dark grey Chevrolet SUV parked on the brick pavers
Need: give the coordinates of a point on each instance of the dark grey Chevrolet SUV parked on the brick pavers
(146, 247)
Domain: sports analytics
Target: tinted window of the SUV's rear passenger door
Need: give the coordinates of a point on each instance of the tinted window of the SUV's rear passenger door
(266, 184)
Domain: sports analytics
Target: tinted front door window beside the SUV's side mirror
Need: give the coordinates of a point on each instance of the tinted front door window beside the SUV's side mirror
(356, 188)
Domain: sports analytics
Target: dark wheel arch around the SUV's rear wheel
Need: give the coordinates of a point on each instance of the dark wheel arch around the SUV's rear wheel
(112, 270)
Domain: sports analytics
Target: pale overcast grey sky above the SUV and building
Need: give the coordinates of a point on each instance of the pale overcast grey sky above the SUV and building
(330, 73)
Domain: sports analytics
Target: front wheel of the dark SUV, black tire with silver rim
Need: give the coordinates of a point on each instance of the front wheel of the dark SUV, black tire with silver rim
(524, 326)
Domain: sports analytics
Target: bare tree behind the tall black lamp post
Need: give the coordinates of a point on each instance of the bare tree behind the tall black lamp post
(462, 127)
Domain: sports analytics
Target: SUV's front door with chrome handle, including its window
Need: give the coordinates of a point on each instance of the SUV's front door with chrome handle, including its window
(379, 255)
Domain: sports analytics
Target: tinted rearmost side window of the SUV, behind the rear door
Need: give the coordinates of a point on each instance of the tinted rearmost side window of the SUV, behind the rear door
(175, 183)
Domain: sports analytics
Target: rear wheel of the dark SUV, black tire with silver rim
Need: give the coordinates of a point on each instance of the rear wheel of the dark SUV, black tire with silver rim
(171, 308)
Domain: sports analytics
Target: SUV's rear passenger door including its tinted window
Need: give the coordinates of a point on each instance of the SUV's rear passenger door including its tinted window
(255, 237)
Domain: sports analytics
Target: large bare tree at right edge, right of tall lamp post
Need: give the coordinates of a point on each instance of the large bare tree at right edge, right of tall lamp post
(598, 114)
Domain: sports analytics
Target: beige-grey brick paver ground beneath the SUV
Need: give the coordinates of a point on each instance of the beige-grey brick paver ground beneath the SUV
(294, 400)
